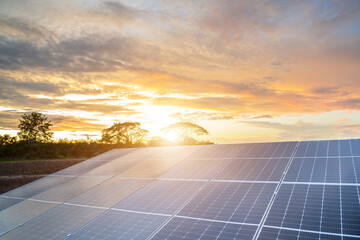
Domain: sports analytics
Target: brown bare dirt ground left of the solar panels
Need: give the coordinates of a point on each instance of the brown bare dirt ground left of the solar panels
(14, 174)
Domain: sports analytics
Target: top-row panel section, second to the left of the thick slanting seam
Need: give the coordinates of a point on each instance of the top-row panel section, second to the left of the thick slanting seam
(217, 151)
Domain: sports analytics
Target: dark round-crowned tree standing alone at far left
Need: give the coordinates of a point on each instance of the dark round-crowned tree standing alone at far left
(36, 127)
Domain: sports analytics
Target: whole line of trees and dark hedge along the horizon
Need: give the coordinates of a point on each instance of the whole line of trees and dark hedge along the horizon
(35, 139)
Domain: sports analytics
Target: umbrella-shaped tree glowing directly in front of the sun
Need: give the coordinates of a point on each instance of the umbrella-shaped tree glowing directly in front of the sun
(186, 131)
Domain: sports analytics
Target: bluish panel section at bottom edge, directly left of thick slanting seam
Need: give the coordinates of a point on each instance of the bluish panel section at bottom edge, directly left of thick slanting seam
(193, 229)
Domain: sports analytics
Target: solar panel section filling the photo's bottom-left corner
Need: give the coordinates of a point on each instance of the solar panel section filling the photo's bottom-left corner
(55, 224)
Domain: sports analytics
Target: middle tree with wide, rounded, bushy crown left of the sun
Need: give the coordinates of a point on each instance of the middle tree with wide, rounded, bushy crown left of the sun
(126, 133)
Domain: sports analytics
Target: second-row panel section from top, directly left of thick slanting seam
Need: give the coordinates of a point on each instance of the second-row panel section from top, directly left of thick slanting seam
(254, 169)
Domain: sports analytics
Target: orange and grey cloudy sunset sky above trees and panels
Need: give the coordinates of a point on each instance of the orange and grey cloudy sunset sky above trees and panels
(247, 71)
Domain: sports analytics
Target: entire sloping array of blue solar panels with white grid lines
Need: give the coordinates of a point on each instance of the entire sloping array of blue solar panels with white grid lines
(286, 190)
